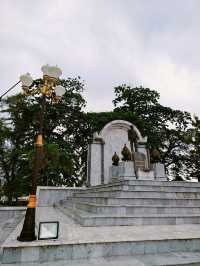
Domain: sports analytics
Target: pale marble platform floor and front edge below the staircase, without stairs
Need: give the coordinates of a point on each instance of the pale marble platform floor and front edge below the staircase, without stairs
(133, 245)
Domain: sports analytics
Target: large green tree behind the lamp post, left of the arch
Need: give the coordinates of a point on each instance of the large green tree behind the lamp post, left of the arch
(64, 149)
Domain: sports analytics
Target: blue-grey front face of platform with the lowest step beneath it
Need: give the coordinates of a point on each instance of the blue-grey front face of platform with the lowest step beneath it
(70, 254)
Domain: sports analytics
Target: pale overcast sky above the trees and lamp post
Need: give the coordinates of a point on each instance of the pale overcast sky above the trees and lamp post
(154, 43)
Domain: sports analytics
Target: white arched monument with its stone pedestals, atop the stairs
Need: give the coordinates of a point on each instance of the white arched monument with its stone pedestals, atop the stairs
(112, 139)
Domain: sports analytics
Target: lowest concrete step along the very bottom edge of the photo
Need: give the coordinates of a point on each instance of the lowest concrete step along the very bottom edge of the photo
(162, 259)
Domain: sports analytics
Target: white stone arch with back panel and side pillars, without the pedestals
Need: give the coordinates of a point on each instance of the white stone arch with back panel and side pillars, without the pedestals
(111, 139)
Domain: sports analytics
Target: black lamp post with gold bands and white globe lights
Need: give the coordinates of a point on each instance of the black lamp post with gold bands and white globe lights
(52, 90)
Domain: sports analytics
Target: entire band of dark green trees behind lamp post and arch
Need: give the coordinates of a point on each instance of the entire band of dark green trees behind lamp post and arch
(68, 129)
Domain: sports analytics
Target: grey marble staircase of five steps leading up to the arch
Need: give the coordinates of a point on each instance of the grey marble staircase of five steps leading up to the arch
(135, 202)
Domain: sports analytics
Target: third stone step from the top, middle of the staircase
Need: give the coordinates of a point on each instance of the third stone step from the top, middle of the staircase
(136, 201)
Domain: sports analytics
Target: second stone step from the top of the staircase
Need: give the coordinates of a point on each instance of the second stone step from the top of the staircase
(139, 194)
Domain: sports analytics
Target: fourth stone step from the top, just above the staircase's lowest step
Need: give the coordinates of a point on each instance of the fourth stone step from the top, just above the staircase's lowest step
(136, 210)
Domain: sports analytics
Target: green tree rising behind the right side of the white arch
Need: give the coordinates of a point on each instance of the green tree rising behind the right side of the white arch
(167, 129)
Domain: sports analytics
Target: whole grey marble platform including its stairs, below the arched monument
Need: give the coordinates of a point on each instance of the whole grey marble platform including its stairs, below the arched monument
(160, 220)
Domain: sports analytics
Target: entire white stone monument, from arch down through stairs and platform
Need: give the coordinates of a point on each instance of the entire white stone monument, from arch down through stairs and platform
(123, 222)
